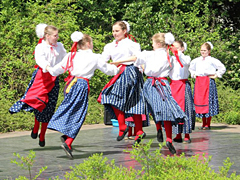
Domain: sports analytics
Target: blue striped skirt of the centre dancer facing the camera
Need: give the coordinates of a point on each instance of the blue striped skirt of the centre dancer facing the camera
(126, 93)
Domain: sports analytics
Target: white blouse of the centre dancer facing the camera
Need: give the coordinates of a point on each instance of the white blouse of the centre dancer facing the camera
(124, 49)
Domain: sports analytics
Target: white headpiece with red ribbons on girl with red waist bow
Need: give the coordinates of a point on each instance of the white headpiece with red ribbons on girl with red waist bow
(169, 40)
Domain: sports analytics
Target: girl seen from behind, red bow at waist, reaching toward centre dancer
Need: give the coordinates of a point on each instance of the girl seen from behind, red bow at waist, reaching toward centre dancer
(156, 88)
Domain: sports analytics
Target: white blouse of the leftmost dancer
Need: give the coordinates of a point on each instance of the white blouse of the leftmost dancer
(47, 55)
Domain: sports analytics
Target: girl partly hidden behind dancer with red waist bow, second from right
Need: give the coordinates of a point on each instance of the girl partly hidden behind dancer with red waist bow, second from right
(182, 93)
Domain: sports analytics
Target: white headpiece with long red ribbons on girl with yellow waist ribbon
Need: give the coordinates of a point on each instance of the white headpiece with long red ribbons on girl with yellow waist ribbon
(76, 37)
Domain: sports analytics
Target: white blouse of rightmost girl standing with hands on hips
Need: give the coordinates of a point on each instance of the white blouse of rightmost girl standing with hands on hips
(207, 66)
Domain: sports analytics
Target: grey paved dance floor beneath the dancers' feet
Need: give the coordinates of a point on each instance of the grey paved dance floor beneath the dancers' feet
(220, 142)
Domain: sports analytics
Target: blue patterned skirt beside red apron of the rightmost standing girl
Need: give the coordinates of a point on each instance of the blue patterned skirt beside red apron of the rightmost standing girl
(213, 101)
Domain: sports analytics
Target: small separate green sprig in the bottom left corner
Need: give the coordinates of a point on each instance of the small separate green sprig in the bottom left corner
(26, 163)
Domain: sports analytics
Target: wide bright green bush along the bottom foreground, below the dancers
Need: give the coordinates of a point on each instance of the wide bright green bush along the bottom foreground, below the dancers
(153, 166)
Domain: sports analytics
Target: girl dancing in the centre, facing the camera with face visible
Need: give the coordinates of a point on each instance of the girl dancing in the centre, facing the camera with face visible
(122, 96)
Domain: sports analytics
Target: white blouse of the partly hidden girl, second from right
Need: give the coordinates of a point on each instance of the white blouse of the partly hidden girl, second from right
(177, 72)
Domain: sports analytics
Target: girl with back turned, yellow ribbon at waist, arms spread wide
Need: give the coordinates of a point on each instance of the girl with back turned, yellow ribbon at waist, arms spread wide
(70, 115)
